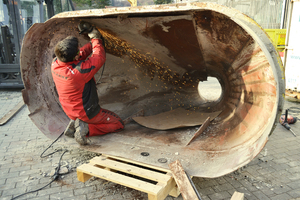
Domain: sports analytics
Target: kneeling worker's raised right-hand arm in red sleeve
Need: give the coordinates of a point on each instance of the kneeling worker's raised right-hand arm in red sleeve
(91, 66)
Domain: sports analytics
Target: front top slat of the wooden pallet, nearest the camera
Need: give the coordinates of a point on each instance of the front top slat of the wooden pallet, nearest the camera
(119, 179)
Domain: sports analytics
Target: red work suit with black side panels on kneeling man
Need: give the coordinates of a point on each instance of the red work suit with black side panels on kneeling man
(76, 87)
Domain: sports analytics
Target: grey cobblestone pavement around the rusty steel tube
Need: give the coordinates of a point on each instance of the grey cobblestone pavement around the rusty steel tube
(273, 174)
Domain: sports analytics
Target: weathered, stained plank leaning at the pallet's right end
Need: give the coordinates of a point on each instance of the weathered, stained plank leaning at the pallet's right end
(183, 183)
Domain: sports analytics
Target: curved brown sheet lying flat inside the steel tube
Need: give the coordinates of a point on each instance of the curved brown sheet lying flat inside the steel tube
(175, 119)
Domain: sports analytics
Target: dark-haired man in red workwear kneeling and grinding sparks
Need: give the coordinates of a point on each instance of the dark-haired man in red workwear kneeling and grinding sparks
(73, 74)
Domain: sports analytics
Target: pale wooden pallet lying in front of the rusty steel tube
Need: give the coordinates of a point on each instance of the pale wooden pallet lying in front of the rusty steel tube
(157, 182)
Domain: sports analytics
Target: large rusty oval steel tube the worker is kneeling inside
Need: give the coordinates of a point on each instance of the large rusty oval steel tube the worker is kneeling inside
(156, 58)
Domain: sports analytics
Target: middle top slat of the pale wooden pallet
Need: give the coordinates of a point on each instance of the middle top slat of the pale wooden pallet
(130, 169)
